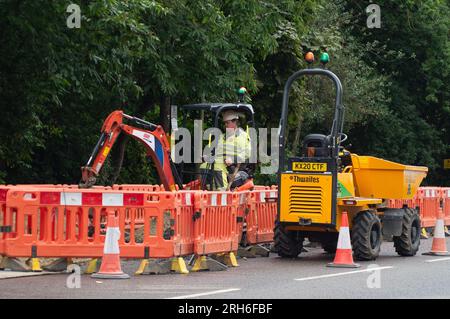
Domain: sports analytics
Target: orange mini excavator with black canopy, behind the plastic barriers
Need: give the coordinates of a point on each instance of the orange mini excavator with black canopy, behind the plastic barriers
(156, 143)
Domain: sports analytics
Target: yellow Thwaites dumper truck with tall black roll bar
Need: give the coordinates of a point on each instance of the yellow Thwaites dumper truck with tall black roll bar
(324, 180)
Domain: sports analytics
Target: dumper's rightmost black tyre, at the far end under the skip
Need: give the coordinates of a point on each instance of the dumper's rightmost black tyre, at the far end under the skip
(407, 244)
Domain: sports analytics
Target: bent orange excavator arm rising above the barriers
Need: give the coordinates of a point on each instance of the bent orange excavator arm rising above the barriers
(150, 135)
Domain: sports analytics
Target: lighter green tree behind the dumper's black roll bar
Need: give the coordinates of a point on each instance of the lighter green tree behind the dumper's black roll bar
(312, 99)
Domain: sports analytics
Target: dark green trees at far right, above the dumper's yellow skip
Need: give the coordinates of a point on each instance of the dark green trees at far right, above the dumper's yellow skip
(412, 49)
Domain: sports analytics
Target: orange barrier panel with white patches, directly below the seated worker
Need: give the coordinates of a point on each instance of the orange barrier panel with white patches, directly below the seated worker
(215, 226)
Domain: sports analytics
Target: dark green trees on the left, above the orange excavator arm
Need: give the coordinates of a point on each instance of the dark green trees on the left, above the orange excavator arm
(58, 84)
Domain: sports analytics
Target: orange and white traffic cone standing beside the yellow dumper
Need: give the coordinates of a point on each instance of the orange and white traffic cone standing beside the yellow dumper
(344, 257)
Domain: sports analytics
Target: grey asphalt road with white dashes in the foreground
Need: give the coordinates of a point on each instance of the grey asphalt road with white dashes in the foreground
(262, 278)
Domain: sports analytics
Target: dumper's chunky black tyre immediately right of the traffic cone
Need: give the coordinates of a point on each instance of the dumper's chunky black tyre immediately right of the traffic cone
(366, 236)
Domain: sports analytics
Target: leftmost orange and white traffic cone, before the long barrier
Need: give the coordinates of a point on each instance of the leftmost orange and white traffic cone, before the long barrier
(110, 267)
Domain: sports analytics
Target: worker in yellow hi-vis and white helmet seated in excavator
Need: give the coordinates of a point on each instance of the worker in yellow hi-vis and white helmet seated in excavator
(232, 154)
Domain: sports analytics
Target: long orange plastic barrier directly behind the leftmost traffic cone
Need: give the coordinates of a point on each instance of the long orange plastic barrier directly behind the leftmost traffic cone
(66, 222)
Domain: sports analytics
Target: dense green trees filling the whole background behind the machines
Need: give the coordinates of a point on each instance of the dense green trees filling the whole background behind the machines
(58, 84)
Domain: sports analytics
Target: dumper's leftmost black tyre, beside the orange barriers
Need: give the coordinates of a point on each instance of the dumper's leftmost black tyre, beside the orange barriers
(288, 244)
